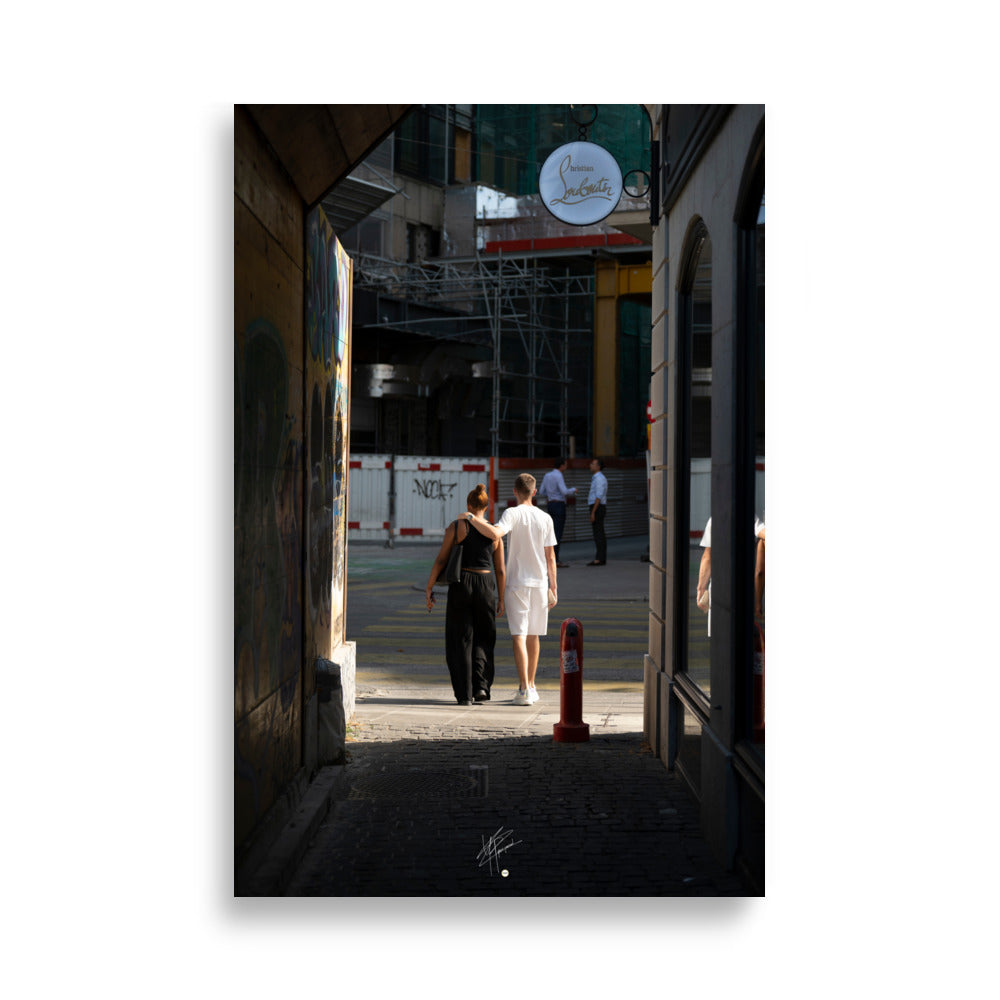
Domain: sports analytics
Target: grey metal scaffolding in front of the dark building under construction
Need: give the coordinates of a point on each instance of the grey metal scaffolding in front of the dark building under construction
(525, 308)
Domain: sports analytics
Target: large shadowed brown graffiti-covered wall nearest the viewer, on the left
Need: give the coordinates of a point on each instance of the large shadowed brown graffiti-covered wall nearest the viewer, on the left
(269, 480)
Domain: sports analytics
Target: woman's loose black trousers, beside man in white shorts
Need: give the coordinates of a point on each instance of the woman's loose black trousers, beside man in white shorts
(471, 634)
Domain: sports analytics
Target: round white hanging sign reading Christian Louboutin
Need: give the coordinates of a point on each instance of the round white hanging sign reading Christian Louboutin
(580, 183)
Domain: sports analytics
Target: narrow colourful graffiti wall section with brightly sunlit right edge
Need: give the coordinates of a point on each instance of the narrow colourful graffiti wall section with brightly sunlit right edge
(328, 318)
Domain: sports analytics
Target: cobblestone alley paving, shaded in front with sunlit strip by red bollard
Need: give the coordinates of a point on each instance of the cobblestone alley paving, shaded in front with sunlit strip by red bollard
(490, 806)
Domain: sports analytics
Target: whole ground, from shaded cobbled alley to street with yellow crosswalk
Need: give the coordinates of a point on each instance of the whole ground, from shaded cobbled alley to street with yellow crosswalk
(448, 800)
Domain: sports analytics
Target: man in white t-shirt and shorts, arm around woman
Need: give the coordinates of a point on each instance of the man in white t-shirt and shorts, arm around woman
(531, 573)
